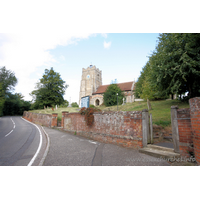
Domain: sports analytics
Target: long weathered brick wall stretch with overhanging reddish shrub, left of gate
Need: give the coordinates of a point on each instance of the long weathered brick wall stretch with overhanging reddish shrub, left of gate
(123, 128)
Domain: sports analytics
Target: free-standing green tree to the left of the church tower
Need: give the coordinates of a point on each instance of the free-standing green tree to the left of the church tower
(49, 90)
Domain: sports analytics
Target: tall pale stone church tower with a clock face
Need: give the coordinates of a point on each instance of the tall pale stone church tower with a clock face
(90, 81)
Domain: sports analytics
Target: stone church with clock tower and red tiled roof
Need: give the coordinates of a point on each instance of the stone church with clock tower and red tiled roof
(91, 89)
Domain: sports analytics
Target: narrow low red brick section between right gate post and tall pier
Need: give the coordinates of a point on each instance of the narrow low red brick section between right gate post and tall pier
(185, 132)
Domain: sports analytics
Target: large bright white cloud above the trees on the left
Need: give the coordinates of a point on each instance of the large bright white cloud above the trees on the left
(25, 53)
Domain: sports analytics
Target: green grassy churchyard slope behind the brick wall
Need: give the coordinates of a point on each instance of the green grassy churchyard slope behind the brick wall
(161, 110)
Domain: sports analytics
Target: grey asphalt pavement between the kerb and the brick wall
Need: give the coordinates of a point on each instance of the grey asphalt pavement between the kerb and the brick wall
(71, 150)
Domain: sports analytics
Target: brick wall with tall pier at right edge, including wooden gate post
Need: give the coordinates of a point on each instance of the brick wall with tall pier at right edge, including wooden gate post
(186, 129)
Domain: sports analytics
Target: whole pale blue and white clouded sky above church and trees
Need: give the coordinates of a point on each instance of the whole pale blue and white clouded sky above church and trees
(120, 56)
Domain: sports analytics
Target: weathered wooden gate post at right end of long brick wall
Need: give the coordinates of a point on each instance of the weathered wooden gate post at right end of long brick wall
(145, 127)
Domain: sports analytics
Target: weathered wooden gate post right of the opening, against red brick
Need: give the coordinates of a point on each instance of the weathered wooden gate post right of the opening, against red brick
(175, 133)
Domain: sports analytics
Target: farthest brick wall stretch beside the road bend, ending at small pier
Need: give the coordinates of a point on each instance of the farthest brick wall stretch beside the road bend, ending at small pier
(41, 119)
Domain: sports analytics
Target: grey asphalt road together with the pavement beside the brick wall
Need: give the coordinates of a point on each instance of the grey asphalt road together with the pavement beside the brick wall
(26, 144)
